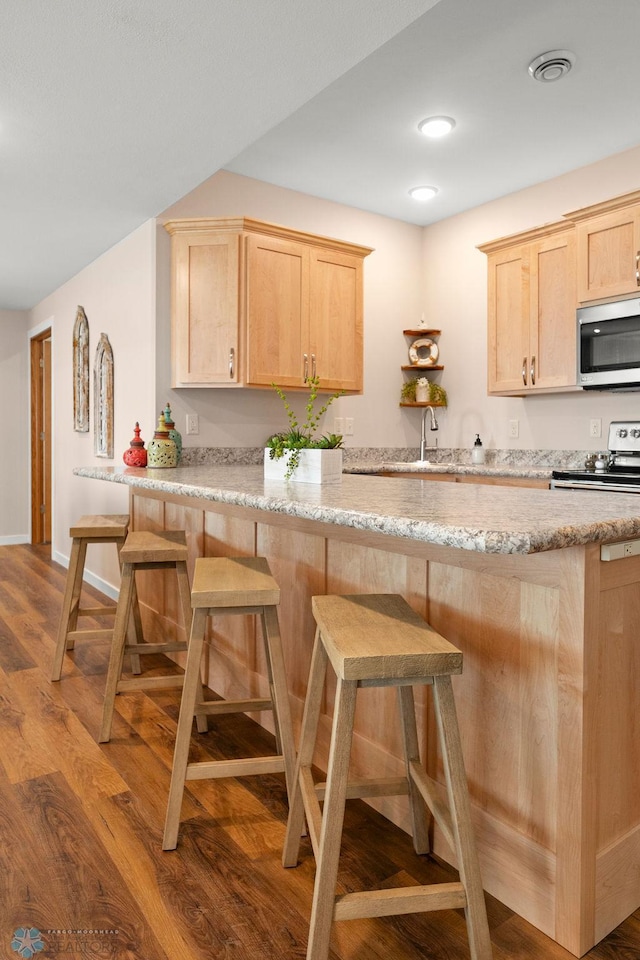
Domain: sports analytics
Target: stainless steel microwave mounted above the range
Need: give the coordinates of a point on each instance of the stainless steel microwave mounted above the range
(609, 346)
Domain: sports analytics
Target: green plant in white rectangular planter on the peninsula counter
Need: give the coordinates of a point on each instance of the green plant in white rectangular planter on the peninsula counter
(296, 453)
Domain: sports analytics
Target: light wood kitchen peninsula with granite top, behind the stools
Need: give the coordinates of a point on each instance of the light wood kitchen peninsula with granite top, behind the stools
(549, 700)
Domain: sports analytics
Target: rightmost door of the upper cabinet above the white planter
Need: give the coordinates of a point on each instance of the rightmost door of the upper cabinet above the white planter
(336, 337)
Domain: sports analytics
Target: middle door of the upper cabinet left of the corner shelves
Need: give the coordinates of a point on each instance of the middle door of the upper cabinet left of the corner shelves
(277, 310)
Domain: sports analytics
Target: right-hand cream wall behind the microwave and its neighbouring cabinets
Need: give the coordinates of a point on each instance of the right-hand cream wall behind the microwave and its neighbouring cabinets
(455, 298)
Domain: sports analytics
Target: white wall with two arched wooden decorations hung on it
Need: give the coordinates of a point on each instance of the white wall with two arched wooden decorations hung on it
(117, 292)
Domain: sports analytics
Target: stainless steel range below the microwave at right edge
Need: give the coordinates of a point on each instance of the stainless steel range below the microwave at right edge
(617, 470)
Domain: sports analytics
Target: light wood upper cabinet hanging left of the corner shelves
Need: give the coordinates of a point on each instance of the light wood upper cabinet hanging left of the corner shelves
(254, 303)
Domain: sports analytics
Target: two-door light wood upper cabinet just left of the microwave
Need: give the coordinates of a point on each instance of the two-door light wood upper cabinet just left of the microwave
(532, 312)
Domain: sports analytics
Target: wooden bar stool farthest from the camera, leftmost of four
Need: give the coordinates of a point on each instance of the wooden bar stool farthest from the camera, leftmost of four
(99, 528)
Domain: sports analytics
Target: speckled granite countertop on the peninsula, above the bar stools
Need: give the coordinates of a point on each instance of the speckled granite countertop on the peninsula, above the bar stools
(486, 519)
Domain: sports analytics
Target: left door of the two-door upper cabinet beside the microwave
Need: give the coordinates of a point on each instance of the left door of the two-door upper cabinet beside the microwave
(508, 321)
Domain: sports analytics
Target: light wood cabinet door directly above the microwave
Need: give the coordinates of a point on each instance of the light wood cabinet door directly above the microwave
(607, 252)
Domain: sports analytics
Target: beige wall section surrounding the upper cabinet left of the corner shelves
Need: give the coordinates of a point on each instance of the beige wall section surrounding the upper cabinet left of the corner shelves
(392, 297)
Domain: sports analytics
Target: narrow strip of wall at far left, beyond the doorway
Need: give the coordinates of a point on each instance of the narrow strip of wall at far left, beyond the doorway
(15, 521)
